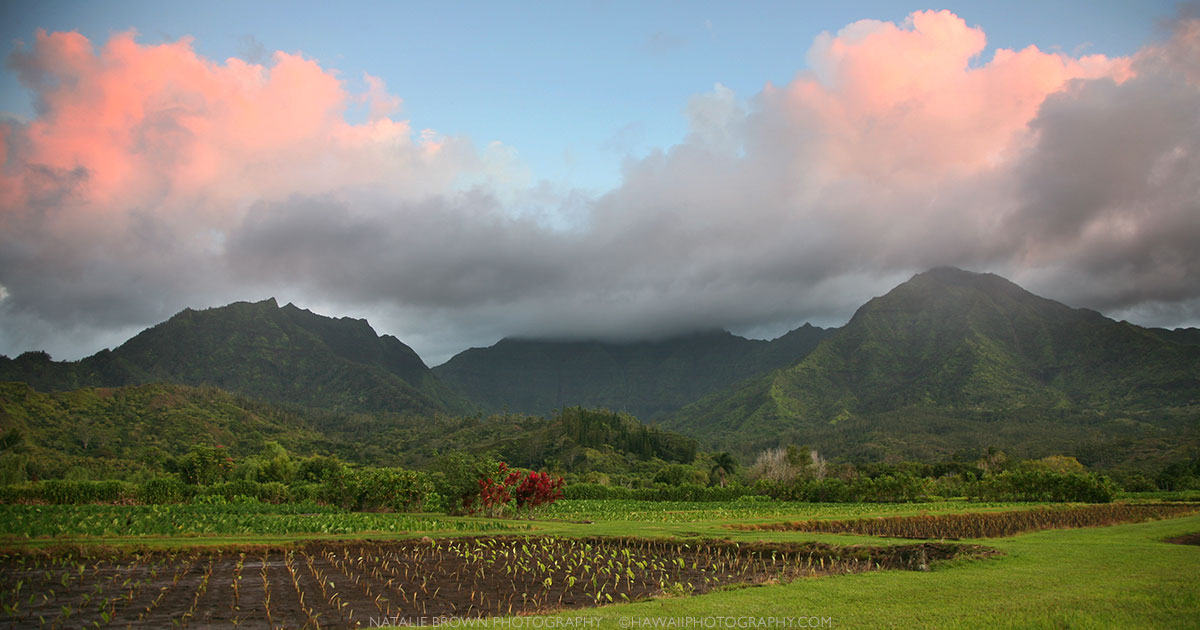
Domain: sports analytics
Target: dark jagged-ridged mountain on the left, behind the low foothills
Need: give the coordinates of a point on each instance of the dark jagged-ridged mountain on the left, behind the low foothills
(263, 351)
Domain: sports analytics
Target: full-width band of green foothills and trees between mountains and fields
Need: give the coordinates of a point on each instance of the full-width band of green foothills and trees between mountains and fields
(231, 447)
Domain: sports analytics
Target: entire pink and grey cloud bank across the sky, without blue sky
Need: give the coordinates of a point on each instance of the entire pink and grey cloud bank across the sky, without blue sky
(153, 179)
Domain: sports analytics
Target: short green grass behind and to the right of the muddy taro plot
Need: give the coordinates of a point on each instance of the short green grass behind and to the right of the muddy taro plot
(1117, 577)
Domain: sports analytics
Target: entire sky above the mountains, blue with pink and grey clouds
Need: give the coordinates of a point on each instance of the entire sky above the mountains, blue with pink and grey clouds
(461, 172)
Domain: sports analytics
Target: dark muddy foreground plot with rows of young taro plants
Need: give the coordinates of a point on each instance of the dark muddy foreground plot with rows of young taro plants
(365, 584)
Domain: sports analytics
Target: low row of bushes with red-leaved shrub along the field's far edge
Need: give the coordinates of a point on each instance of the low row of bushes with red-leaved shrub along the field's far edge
(464, 483)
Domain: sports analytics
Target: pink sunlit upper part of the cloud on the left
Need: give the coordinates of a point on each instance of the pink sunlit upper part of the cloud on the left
(159, 125)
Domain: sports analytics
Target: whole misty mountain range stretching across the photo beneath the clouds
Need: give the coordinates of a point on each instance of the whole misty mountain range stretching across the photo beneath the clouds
(949, 362)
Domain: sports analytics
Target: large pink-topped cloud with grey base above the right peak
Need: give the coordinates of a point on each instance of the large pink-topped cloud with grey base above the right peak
(905, 147)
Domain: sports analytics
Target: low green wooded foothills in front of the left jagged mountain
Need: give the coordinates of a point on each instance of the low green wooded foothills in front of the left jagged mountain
(121, 431)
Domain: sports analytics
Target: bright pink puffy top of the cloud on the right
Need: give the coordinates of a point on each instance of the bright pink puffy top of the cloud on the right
(914, 101)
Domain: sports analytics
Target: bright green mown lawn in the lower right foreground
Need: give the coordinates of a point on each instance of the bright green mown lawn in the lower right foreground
(1123, 577)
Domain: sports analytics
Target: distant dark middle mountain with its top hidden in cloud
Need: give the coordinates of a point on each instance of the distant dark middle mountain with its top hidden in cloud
(647, 380)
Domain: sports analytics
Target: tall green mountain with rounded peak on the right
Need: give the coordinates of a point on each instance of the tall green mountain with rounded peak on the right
(953, 359)
